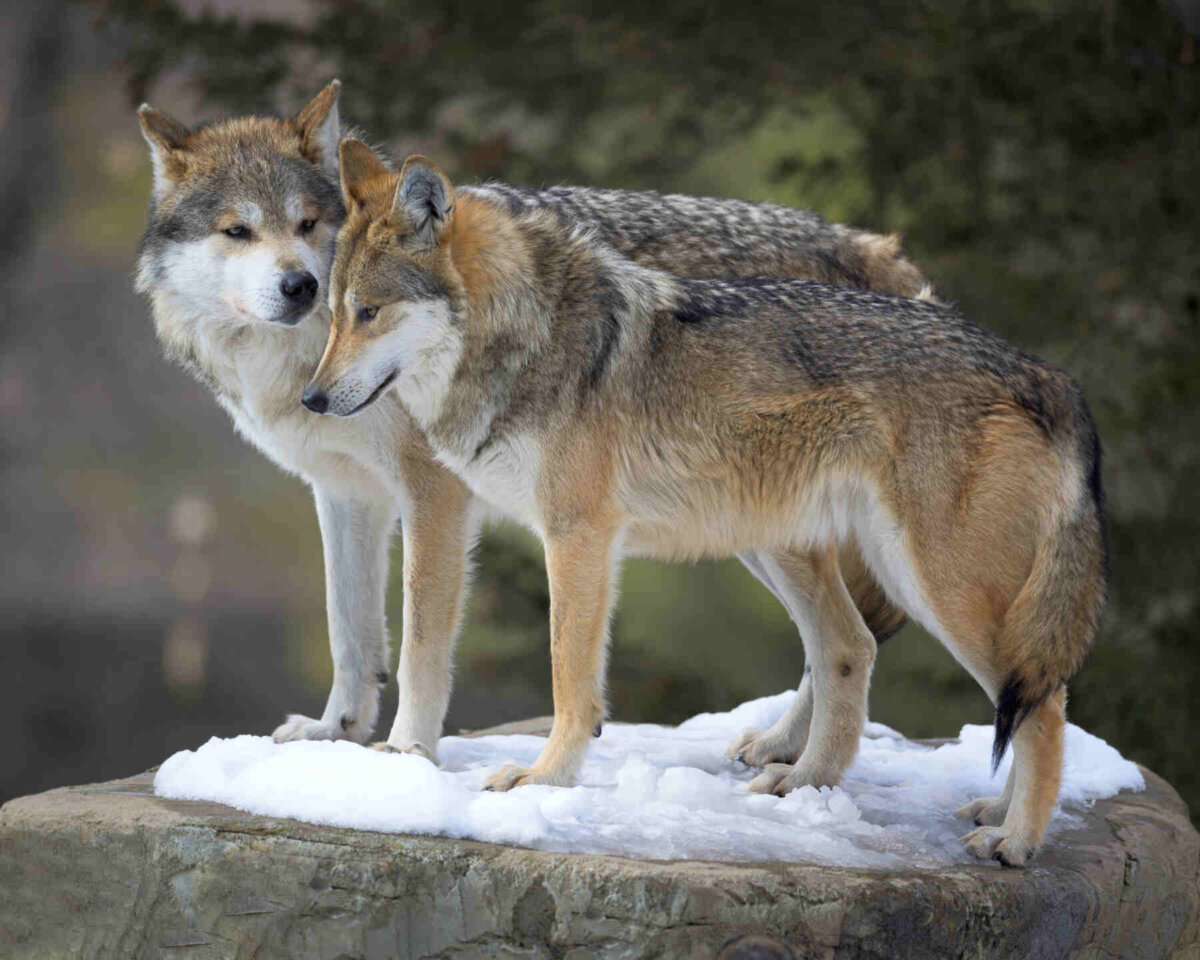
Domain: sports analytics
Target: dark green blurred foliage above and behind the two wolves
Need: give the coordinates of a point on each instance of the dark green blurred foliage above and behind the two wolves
(1042, 160)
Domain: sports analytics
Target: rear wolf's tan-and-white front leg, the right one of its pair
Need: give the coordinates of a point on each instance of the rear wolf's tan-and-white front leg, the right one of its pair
(439, 527)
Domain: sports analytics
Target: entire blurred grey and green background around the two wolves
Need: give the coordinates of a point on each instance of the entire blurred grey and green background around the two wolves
(163, 581)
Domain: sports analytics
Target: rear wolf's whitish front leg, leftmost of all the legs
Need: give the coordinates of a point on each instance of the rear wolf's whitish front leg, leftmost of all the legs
(356, 536)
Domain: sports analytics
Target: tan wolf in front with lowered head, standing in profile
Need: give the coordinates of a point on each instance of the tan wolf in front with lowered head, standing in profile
(620, 410)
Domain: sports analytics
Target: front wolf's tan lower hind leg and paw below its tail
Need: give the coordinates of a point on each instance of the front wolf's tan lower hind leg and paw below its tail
(1037, 773)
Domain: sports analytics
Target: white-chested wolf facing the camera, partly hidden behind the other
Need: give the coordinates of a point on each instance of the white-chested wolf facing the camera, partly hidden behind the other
(236, 262)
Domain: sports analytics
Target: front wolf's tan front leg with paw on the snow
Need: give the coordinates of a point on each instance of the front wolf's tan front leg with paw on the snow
(580, 568)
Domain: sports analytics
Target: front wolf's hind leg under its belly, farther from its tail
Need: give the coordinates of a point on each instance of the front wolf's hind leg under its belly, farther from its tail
(841, 651)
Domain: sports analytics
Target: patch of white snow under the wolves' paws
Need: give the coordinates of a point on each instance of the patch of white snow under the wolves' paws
(645, 791)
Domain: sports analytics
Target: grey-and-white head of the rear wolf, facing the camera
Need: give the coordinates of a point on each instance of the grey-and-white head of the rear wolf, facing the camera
(244, 214)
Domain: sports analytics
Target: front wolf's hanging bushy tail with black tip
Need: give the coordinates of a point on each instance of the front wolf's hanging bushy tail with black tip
(1051, 626)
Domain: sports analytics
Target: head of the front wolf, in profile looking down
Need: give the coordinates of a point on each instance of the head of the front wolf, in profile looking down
(394, 287)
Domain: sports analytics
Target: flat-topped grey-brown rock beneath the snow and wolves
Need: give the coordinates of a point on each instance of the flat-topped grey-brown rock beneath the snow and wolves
(109, 871)
